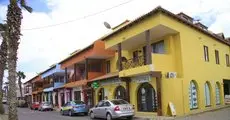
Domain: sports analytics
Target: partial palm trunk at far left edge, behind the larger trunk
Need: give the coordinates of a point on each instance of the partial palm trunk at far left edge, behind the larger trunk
(3, 58)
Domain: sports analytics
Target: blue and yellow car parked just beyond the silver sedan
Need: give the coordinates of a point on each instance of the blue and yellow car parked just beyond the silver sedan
(74, 107)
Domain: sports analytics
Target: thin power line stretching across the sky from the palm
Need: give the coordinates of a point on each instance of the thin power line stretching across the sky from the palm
(80, 18)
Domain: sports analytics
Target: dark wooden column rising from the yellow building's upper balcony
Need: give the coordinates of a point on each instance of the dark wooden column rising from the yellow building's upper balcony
(148, 48)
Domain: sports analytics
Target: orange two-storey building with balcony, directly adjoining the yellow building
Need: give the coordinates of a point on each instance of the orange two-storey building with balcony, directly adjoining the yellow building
(82, 66)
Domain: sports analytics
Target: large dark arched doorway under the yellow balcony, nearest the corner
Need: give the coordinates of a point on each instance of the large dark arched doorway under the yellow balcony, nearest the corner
(146, 98)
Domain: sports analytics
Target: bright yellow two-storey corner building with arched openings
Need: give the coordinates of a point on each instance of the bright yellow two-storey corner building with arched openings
(166, 58)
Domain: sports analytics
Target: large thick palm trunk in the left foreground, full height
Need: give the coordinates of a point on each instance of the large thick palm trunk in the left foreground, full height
(14, 18)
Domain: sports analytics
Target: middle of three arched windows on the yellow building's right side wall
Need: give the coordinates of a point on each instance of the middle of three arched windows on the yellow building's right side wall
(207, 94)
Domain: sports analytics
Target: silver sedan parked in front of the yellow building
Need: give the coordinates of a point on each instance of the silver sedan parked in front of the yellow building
(111, 109)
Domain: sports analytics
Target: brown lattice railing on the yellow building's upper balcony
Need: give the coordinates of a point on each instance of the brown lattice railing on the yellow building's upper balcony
(133, 62)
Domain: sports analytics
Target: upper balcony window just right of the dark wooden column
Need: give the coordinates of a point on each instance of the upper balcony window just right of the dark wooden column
(158, 47)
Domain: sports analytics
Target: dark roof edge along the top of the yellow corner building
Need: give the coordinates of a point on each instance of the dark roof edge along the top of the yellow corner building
(170, 14)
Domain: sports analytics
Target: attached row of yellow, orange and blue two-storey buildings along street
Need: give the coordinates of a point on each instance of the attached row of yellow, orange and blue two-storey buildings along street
(159, 62)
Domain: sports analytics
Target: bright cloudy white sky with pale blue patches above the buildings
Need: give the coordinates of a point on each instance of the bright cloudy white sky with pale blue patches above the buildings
(45, 41)
